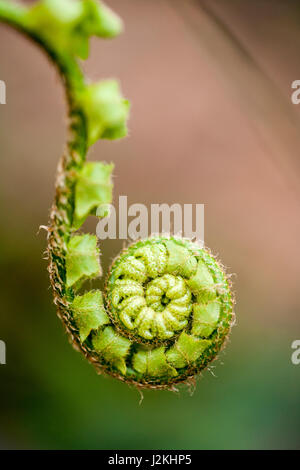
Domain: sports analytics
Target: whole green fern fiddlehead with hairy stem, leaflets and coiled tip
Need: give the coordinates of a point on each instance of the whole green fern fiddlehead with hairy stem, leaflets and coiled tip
(167, 306)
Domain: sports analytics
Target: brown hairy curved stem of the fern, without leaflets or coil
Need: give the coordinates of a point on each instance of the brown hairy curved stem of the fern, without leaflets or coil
(62, 210)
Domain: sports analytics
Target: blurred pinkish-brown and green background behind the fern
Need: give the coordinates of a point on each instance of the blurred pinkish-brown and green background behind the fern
(212, 122)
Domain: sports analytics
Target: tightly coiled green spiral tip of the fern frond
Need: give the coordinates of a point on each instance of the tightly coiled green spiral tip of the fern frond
(170, 309)
